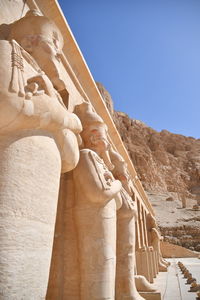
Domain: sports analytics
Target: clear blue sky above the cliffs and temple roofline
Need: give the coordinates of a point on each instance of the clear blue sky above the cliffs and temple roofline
(147, 55)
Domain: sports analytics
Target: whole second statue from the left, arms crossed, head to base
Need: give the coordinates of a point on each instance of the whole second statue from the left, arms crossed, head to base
(96, 200)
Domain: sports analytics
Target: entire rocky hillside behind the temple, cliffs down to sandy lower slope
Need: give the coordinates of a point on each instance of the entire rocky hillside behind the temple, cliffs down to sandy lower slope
(168, 166)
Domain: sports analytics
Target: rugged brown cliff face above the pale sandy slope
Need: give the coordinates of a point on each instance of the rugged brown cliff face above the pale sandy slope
(164, 161)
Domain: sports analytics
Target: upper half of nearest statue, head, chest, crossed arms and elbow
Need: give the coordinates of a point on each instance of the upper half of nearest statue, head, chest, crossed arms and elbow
(26, 92)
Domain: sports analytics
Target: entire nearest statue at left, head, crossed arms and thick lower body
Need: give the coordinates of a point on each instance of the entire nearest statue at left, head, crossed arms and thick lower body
(38, 138)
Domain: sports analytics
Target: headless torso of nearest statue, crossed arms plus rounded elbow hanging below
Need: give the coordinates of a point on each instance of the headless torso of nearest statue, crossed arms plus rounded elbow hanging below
(28, 100)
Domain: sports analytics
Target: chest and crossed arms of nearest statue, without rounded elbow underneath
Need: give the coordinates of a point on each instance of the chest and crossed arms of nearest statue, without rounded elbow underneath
(27, 96)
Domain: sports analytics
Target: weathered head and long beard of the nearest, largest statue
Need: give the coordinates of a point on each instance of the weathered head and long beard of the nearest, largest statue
(40, 37)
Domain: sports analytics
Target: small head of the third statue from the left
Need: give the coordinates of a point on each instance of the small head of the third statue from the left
(121, 172)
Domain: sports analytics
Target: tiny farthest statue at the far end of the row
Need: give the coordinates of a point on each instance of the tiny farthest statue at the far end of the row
(154, 238)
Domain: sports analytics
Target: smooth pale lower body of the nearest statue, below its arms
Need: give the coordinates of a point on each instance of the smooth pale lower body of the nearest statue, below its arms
(29, 183)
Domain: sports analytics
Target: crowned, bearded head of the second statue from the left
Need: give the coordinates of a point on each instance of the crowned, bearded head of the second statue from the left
(95, 132)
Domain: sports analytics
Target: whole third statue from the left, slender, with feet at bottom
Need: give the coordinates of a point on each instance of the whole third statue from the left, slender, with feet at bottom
(126, 217)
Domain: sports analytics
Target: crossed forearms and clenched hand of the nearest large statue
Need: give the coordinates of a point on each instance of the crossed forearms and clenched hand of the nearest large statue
(44, 108)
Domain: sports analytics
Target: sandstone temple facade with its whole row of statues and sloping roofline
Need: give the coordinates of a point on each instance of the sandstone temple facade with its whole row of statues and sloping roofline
(76, 222)
